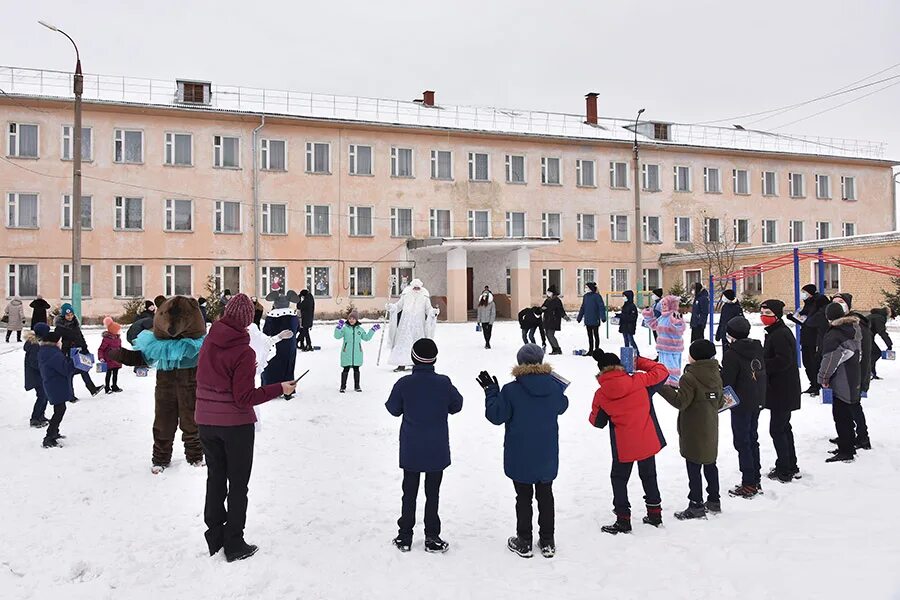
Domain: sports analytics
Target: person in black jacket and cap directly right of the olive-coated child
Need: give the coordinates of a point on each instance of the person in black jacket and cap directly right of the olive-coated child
(744, 369)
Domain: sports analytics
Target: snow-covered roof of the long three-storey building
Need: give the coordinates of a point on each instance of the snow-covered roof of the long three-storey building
(118, 90)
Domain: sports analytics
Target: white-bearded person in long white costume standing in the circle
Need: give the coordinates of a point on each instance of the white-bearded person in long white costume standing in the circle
(411, 318)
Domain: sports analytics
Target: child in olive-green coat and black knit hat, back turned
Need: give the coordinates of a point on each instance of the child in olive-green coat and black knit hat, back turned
(698, 399)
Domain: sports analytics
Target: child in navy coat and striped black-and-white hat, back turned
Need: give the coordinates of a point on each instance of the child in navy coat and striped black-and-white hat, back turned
(424, 399)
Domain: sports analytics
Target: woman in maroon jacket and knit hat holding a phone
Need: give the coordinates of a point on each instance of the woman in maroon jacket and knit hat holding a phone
(226, 395)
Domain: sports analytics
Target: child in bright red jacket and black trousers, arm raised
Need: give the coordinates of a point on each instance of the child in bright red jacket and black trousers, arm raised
(624, 402)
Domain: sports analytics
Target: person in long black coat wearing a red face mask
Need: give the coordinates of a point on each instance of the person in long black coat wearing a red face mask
(782, 388)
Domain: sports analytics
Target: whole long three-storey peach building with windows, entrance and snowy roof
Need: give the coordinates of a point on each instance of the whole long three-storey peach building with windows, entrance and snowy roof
(350, 201)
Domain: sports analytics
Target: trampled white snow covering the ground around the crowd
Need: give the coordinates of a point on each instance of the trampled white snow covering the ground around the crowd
(90, 520)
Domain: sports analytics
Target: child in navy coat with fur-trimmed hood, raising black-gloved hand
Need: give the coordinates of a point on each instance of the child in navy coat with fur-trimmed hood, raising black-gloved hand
(529, 407)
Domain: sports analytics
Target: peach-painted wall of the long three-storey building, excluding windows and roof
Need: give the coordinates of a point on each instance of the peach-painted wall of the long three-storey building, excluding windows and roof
(50, 247)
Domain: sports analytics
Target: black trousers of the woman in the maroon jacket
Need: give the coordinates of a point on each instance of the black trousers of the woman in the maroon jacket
(229, 460)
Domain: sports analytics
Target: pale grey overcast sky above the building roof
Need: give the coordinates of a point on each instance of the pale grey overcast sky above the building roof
(685, 61)
